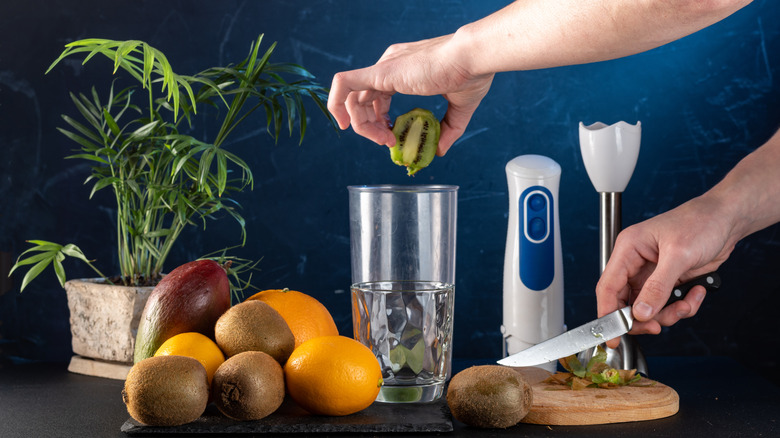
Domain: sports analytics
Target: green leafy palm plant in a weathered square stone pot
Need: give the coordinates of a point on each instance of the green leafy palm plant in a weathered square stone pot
(162, 177)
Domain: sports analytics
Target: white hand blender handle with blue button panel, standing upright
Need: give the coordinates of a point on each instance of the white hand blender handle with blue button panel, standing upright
(533, 265)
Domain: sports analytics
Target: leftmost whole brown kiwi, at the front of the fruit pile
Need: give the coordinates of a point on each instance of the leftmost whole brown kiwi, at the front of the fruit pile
(166, 391)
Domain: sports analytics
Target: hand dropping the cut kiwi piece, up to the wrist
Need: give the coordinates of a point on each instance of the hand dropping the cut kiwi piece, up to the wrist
(425, 68)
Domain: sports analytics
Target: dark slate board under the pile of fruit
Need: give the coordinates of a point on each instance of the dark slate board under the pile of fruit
(290, 418)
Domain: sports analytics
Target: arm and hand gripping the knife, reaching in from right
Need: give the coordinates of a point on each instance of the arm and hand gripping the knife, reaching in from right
(690, 240)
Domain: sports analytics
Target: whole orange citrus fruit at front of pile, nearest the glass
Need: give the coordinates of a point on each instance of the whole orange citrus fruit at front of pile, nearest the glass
(333, 375)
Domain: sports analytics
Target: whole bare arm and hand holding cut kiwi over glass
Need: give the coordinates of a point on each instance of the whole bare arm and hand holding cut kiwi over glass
(527, 34)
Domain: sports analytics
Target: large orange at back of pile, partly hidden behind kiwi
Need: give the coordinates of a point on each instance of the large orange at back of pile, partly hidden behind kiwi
(306, 317)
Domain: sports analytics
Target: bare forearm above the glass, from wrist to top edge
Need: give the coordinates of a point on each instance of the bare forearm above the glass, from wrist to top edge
(533, 34)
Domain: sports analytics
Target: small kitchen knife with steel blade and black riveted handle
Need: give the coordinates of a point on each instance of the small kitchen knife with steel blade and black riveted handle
(597, 332)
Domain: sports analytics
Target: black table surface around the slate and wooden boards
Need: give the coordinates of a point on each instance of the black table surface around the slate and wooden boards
(718, 398)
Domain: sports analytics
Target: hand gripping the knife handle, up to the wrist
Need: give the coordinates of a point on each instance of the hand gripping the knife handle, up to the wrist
(651, 257)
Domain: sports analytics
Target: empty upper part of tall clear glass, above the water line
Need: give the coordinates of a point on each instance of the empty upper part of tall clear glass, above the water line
(403, 232)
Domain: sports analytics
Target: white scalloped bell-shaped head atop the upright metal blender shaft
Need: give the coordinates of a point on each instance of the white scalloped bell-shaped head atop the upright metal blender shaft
(610, 153)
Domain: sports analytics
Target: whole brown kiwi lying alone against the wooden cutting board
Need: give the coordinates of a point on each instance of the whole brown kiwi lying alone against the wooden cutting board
(489, 396)
